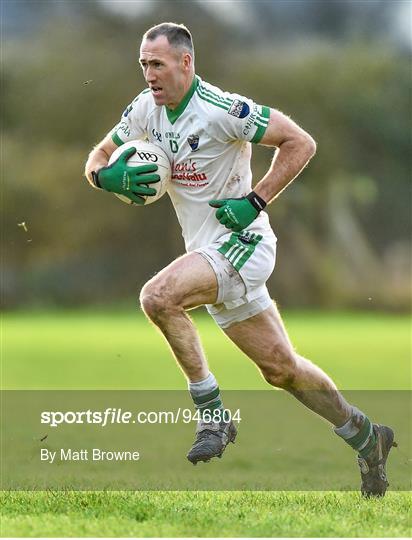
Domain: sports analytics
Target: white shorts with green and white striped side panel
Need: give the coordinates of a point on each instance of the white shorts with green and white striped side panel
(242, 263)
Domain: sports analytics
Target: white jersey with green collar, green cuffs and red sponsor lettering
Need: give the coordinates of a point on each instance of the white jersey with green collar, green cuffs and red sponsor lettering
(207, 139)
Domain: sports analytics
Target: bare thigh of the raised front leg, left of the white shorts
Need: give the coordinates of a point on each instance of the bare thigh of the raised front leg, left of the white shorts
(189, 281)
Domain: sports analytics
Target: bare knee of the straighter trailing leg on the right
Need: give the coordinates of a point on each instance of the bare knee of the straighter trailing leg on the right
(280, 370)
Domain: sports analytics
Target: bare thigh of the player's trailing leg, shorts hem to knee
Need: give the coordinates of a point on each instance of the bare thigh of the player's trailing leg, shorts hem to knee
(258, 336)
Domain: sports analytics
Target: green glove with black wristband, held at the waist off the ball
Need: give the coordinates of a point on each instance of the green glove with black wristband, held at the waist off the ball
(237, 214)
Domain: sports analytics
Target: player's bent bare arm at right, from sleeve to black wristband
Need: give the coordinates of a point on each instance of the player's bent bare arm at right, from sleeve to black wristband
(295, 148)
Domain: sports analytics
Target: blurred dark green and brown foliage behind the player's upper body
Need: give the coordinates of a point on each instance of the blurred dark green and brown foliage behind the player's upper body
(343, 227)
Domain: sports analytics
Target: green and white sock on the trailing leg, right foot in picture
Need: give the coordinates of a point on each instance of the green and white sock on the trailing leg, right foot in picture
(358, 433)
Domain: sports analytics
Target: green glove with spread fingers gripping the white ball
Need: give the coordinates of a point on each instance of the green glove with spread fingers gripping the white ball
(132, 182)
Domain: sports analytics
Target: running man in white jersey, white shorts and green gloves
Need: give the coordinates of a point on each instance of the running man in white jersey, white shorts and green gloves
(207, 135)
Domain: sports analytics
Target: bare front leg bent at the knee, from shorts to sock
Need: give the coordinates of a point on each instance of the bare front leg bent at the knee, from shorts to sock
(186, 283)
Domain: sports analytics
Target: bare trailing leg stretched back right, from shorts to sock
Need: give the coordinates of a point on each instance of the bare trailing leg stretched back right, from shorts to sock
(264, 339)
